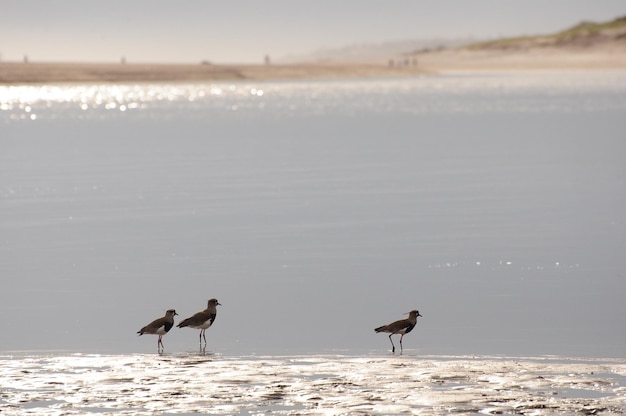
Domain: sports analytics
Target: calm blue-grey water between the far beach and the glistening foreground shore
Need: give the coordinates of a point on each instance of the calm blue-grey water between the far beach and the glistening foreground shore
(316, 211)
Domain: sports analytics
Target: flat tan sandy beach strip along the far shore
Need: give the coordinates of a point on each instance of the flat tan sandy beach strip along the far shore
(423, 63)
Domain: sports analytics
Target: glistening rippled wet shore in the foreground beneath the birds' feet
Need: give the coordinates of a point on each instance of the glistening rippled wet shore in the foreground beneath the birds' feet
(314, 384)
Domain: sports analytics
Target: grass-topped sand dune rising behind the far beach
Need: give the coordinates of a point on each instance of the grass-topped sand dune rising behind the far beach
(585, 35)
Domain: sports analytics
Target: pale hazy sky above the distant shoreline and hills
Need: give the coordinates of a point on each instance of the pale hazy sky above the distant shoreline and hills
(246, 30)
